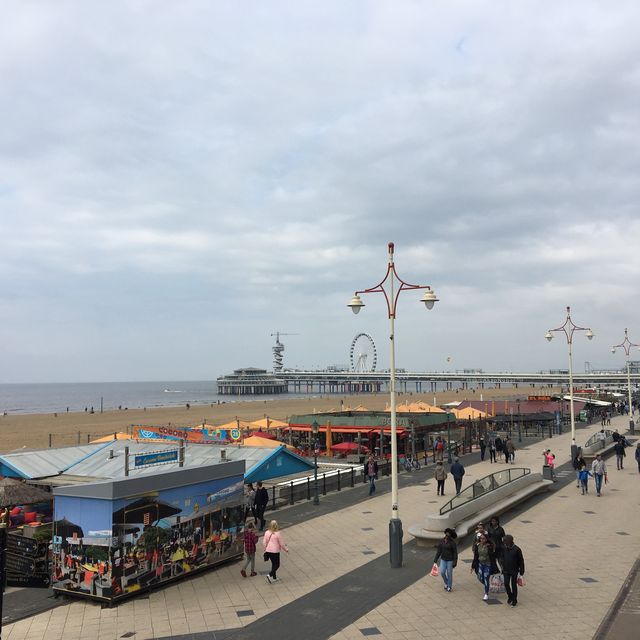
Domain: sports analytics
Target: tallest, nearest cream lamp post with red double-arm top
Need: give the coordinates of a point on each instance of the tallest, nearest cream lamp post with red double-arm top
(429, 298)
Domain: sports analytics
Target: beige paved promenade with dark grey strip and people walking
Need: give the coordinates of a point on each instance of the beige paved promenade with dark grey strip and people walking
(336, 582)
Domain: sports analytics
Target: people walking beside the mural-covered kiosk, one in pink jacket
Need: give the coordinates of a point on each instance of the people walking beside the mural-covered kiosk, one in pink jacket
(256, 500)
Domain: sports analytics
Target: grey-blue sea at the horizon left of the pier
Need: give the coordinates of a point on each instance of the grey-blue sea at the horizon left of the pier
(78, 396)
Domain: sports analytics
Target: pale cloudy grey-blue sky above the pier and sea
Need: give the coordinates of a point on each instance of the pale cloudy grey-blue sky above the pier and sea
(181, 180)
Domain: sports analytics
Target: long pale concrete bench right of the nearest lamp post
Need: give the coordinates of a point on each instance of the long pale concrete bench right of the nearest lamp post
(464, 518)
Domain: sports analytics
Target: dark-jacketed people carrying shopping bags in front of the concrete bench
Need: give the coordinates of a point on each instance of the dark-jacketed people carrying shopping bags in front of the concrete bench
(494, 552)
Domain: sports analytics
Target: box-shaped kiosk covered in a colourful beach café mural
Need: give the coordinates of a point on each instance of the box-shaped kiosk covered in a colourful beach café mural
(115, 538)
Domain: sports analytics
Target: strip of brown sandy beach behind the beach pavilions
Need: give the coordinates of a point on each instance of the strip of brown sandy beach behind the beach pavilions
(36, 431)
